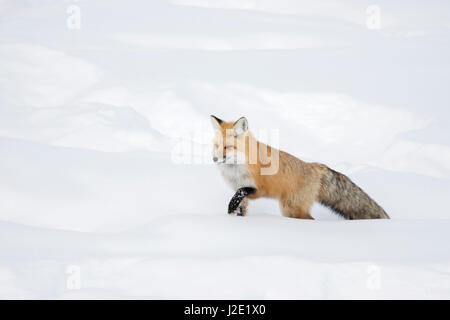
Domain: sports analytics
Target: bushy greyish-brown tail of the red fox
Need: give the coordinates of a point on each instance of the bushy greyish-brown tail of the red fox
(344, 197)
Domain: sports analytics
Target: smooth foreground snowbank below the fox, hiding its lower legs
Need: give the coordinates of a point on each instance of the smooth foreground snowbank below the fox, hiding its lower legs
(217, 256)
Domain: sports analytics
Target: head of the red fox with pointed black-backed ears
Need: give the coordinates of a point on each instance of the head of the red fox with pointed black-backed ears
(229, 141)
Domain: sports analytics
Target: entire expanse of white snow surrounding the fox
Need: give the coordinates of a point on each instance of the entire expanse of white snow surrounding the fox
(107, 185)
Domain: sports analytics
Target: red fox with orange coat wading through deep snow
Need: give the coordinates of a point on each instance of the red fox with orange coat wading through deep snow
(246, 165)
